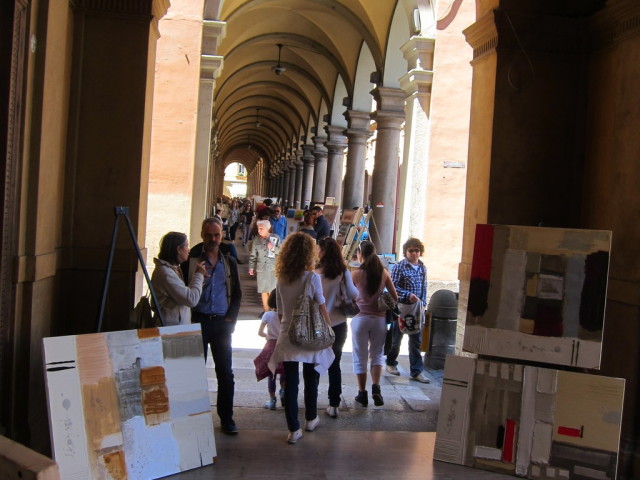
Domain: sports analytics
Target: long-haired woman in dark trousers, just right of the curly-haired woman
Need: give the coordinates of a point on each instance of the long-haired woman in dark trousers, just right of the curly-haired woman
(340, 294)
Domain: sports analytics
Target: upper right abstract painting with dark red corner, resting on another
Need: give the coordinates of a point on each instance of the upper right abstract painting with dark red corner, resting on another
(538, 294)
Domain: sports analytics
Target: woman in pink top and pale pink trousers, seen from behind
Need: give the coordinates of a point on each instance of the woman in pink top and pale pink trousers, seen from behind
(369, 327)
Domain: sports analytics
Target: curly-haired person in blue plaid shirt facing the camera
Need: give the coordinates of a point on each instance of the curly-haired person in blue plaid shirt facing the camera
(410, 279)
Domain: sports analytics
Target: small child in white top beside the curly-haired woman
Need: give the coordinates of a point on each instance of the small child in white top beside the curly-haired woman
(271, 321)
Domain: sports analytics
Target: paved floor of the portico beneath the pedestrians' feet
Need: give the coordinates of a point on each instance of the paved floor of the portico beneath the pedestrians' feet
(394, 441)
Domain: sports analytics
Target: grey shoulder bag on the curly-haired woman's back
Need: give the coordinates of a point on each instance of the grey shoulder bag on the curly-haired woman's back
(308, 329)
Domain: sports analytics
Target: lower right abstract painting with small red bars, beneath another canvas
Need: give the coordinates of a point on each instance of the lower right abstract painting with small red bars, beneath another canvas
(528, 421)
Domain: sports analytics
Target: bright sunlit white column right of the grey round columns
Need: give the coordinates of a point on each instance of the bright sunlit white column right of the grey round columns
(414, 178)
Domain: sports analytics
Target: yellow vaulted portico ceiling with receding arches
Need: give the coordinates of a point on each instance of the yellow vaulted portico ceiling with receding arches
(321, 43)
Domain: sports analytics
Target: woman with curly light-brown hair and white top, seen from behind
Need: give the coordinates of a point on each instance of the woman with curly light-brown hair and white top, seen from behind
(295, 263)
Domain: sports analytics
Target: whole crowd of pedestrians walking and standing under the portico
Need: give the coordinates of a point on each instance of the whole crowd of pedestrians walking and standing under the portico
(202, 285)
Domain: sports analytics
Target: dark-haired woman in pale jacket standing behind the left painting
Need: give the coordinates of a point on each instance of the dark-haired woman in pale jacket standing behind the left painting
(174, 297)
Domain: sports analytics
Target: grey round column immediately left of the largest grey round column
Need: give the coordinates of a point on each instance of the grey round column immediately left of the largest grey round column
(357, 135)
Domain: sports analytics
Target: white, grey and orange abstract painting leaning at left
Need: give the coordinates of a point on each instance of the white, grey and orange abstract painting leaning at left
(130, 404)
